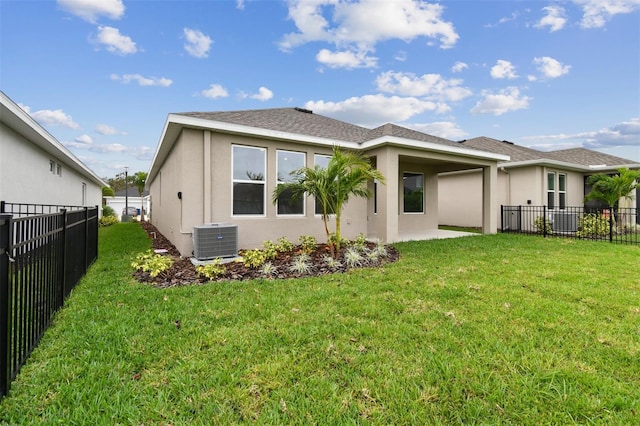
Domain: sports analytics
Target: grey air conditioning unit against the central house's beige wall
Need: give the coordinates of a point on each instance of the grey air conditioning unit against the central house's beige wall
(212, 240)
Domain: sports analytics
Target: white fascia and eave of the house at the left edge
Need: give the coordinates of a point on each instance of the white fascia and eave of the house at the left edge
(21, 122)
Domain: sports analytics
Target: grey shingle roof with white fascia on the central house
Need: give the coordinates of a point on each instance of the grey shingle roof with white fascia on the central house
(303, 126)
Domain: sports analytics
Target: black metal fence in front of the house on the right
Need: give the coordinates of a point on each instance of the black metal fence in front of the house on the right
(622, 225)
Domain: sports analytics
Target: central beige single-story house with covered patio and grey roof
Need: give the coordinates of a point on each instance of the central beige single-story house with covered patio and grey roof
(222, 167)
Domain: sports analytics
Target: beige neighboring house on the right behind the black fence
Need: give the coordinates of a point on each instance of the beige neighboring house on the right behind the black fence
(555, 179)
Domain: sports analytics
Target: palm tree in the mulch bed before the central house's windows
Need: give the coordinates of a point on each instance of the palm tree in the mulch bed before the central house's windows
(346, 175)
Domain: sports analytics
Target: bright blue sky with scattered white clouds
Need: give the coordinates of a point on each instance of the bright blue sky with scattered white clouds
(102, 75)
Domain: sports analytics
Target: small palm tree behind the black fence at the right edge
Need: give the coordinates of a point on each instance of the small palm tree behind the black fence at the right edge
(611, 189)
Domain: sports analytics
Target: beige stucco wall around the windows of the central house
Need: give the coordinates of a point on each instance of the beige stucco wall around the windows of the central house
(207, 193)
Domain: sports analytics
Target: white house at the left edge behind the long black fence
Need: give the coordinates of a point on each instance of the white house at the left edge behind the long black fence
(37, 169)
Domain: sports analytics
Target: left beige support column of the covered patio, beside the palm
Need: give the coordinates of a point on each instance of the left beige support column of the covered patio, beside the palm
(387, 163)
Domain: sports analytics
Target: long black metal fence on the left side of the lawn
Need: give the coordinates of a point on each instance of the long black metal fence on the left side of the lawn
(42, 258)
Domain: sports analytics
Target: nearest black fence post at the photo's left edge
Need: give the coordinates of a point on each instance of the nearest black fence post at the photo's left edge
(5, 302)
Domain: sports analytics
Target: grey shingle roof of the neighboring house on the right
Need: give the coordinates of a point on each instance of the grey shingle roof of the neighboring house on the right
(578, 158)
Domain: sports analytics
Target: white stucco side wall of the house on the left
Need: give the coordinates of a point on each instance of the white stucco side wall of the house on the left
(25, 176)
